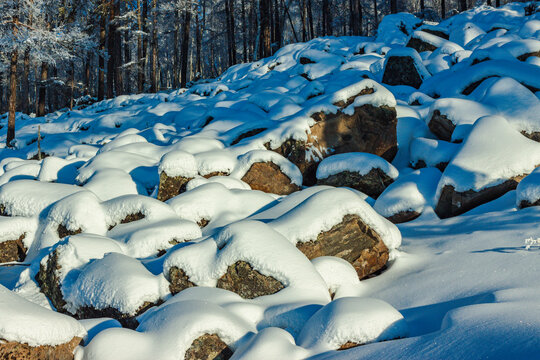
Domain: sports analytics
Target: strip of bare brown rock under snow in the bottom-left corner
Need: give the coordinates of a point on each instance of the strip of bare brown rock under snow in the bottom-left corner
(16, 351)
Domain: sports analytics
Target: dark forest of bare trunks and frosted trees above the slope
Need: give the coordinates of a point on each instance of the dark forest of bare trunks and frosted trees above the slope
(57, 54)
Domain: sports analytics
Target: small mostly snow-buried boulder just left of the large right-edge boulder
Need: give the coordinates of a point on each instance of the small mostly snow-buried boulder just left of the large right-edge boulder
(407, 198)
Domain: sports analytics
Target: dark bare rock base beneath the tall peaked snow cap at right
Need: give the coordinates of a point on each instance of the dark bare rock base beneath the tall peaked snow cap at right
(453, 203)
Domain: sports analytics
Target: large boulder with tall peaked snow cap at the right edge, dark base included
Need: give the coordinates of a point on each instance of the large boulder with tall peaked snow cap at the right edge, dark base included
(492, 161)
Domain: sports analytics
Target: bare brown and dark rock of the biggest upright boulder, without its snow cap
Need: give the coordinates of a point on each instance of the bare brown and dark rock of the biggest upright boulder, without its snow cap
(369, 129)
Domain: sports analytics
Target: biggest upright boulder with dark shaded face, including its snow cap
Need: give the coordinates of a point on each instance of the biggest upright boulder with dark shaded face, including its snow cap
(365, 120)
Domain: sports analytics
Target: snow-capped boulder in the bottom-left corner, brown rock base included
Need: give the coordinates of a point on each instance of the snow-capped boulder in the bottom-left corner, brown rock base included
(29, 331)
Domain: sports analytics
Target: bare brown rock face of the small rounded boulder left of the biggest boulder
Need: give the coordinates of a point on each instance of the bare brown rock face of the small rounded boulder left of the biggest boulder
(268, 177)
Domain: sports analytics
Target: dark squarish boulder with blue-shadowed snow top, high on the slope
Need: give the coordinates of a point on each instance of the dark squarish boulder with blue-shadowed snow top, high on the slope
(403, 66)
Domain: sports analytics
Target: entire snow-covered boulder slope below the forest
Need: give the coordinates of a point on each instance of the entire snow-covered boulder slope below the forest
(346, 198)
